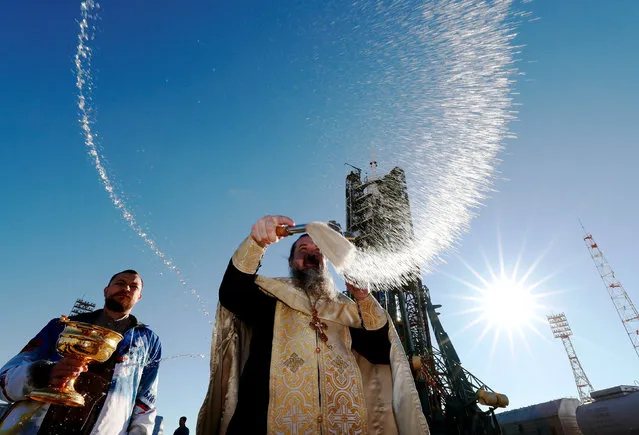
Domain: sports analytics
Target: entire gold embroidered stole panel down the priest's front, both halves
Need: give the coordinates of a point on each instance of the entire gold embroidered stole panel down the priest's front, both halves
(294, 406)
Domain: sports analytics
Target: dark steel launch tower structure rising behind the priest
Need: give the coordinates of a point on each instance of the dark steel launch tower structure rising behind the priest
(378, 217)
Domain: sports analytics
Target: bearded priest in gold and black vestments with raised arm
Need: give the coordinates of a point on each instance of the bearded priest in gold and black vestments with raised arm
(296, 356)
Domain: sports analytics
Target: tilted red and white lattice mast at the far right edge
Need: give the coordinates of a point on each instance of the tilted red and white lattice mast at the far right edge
(625, 308)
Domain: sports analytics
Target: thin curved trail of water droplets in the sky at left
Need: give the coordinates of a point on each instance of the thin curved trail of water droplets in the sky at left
(84, 85)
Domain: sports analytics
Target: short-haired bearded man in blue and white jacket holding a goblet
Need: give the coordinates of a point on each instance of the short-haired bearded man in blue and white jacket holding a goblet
(119, 393)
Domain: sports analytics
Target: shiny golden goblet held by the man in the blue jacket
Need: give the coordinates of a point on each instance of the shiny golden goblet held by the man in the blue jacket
(86, 343)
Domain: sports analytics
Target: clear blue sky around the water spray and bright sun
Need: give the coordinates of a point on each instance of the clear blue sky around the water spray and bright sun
(211, 116)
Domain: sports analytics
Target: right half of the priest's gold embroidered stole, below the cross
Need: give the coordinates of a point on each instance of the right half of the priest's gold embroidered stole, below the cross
(343, 402)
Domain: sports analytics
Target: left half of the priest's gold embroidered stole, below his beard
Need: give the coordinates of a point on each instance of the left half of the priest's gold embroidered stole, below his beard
(294, 395)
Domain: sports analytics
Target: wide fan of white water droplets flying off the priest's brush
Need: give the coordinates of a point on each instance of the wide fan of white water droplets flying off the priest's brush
(446, 79)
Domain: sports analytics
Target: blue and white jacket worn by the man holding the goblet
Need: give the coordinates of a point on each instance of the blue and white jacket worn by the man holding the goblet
(129, 406)
